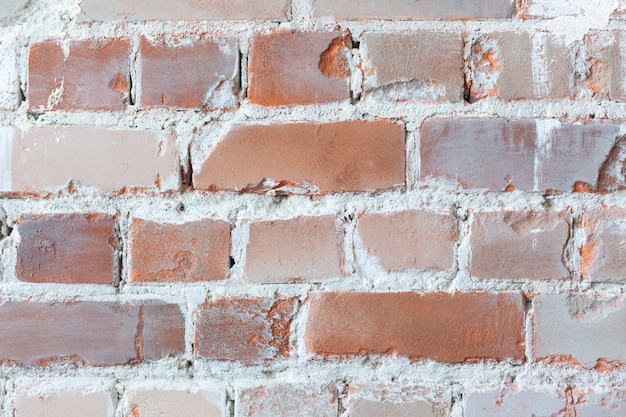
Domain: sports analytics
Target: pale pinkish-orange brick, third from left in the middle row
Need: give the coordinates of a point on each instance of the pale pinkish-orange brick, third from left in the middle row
(305, 248)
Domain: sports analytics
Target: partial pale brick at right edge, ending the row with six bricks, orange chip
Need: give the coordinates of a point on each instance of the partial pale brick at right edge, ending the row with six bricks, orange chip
(604, 252)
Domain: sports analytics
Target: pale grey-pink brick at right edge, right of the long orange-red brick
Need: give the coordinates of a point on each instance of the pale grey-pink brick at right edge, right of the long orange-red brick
(581, 328)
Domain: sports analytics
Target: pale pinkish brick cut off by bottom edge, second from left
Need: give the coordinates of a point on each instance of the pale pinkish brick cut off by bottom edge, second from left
(168, 403)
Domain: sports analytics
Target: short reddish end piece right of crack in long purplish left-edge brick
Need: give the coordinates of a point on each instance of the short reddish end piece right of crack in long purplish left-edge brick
(163, 331)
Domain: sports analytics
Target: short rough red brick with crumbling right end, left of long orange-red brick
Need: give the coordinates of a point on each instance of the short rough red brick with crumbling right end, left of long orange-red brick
(252, 331)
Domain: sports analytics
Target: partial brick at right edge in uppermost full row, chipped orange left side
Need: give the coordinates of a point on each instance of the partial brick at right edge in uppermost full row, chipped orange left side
(604, 60)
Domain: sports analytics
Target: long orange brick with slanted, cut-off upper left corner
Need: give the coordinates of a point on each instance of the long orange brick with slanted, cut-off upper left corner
(336, 157)
